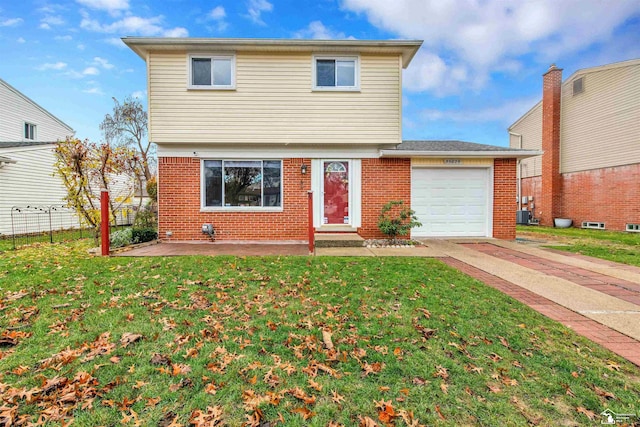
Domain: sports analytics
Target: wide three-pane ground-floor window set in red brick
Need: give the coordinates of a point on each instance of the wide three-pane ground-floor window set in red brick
(242, 183)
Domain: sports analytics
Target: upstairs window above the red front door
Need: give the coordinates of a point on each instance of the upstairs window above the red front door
(336, 73)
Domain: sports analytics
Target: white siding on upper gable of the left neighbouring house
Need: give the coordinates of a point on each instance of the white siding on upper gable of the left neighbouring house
(15, 110)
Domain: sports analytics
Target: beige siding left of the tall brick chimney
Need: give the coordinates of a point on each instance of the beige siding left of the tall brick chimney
(530, 127)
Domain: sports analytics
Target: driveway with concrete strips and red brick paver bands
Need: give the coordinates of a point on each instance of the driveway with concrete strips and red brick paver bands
(599, 301)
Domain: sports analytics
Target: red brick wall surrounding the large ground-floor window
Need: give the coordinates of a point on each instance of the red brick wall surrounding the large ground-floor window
(179, 206)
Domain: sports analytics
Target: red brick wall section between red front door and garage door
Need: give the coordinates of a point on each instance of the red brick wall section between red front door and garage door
(383, 180)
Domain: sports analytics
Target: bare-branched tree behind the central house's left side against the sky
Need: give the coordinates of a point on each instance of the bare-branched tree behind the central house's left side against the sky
(128, 126)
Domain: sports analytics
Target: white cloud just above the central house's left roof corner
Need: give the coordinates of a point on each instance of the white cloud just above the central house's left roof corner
(134, 25)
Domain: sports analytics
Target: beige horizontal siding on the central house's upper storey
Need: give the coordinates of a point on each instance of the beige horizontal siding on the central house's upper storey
(274, 103)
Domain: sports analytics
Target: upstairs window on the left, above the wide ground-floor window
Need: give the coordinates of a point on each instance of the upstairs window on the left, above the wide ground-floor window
(212, 72)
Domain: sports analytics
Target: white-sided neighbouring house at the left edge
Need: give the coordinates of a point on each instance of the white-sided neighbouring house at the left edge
(28, 134)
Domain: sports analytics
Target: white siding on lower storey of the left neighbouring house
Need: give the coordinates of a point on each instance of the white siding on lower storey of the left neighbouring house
(30, 181)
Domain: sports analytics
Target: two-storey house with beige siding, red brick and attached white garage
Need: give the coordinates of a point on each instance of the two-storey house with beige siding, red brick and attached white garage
(245, 128)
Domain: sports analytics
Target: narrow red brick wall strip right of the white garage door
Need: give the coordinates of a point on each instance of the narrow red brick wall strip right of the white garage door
(504, 199)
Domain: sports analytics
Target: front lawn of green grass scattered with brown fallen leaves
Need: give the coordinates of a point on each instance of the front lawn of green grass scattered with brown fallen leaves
(410, 334)
